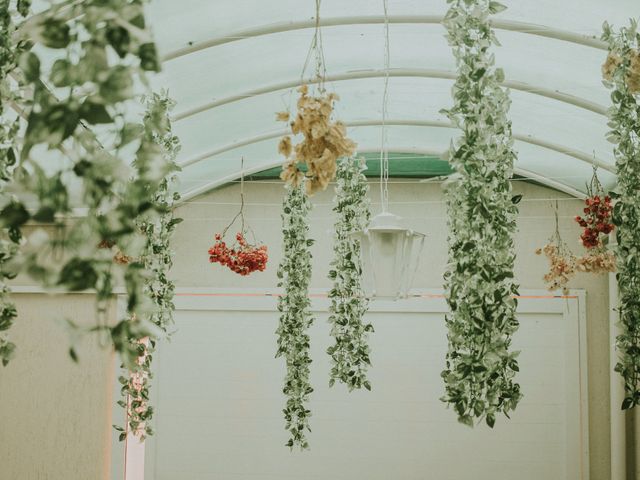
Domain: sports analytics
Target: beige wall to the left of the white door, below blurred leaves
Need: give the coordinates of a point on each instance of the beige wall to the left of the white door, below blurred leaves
(55, 415)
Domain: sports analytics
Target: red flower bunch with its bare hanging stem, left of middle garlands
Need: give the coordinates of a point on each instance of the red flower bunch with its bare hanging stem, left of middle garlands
(241, 257)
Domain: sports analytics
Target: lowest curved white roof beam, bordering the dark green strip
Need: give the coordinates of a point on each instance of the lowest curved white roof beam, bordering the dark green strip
(267, 165)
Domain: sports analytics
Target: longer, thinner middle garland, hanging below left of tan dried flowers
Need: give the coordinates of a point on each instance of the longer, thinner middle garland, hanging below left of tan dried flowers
(294, 274)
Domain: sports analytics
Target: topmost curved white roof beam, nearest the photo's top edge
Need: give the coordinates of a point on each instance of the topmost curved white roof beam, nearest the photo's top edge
(281, 27)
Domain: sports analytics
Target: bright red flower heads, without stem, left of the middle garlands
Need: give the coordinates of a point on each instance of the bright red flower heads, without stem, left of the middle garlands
(242, 258)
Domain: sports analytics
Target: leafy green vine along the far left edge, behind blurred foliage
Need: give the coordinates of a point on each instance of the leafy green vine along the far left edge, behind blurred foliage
(9, 127)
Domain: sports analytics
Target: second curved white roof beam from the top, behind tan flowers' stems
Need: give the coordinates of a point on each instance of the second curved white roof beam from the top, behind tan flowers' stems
(396, 72)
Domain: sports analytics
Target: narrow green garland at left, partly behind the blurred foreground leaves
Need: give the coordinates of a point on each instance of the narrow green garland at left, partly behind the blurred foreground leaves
(157, 258)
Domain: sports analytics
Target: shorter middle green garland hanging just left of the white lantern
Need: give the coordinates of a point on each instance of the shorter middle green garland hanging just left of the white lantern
(350, 352)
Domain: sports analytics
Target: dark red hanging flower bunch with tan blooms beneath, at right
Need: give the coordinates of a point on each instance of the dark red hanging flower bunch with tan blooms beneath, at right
(597, 225)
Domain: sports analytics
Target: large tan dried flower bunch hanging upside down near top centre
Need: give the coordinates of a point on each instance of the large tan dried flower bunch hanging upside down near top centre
(324, 142)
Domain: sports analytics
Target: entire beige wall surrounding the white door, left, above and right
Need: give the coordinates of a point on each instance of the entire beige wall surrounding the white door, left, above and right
(73, 440)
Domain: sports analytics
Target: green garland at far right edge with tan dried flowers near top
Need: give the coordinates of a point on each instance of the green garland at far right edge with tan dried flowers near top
(622, 76)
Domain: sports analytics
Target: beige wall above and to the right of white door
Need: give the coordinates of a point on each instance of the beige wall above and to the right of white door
(422, 205)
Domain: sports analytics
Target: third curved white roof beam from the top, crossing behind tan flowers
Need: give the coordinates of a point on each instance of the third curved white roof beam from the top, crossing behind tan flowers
(407, 123)
